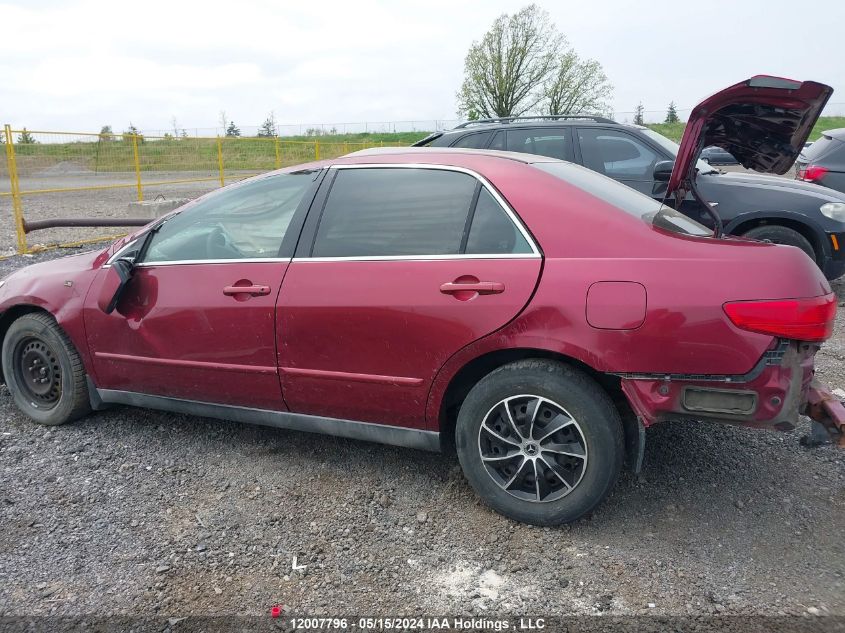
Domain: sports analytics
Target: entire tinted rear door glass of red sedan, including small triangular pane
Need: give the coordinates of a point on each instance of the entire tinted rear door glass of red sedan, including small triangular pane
(399, 212)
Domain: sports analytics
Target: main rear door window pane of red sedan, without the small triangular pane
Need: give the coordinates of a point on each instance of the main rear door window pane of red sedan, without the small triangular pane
(379, 211)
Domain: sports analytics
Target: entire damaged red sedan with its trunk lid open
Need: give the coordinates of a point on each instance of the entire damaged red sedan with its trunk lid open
(533, 314)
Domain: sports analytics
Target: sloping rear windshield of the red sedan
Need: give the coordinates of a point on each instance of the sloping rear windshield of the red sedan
(624, 198)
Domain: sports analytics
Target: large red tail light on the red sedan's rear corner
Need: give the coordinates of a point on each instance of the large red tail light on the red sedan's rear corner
(808, 319)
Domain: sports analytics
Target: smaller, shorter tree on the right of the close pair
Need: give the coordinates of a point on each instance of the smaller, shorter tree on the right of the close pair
(576, 87)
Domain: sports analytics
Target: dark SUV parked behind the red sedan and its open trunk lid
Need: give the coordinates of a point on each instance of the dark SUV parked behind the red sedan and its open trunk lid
(762, 207)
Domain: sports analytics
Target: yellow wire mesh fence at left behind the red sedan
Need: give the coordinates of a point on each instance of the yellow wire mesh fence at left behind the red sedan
(48, 175)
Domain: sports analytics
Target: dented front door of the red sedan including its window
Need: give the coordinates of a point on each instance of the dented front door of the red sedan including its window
(196, 321)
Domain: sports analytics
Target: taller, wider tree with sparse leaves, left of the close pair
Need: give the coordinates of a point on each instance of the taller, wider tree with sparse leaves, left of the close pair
(504, 73)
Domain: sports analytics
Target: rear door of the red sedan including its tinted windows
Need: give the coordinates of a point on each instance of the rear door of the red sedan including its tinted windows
(399, 268)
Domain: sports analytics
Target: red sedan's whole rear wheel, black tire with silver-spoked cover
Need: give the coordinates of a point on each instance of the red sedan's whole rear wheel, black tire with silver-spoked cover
(556, 387)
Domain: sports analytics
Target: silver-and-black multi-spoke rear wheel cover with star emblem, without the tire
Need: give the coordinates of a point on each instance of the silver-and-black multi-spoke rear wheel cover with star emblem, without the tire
(532, 448)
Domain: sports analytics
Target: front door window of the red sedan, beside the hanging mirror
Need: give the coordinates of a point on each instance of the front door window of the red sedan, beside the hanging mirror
(242, 222)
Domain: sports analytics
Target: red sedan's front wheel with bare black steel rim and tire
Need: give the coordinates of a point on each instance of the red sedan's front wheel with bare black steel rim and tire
(36, 350)
